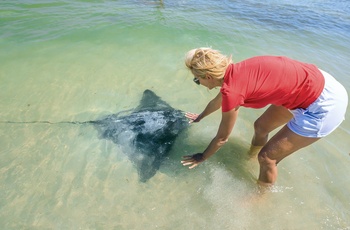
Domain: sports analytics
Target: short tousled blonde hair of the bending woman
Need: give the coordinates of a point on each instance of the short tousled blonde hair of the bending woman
(203, 61)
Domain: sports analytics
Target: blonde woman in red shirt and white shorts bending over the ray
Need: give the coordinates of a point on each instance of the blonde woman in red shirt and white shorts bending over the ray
(309, 102)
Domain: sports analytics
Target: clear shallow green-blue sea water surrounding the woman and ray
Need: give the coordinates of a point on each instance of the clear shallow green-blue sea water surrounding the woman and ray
(82, 60)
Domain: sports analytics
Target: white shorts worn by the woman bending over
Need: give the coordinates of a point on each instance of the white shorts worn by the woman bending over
(325, 114)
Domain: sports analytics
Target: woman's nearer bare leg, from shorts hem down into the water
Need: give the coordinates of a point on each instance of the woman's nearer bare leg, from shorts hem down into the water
(284, 143)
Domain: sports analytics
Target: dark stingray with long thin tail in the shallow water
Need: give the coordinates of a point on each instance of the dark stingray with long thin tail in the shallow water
(145, 134)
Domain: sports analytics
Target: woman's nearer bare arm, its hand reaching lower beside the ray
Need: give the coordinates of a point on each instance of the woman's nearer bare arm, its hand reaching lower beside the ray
(227, 123)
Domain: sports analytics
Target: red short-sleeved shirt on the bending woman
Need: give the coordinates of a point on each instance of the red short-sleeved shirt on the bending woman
(259, 81)
